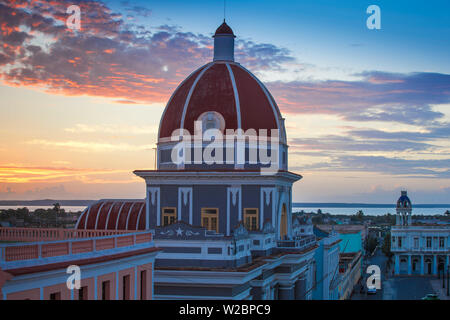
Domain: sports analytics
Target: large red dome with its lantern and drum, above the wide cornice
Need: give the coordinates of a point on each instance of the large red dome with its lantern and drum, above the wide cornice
(223, 100)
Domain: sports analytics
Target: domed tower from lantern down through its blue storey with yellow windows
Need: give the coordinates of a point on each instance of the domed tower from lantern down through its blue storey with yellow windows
(222, 152)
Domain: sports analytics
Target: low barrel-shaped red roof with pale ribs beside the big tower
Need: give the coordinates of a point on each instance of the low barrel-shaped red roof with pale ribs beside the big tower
(113, 215)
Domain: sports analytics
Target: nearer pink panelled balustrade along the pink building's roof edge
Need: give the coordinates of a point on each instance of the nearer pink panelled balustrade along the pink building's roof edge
(19, 252)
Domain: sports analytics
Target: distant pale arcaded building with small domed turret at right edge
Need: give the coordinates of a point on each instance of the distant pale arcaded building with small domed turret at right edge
(418, 249)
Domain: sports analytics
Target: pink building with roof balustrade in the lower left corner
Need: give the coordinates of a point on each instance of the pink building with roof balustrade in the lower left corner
(113, 265)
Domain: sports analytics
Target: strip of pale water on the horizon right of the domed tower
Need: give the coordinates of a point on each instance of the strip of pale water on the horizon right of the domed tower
(373, 211)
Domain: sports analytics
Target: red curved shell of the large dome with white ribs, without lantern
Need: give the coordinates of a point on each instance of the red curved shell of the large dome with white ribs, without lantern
(226, 88)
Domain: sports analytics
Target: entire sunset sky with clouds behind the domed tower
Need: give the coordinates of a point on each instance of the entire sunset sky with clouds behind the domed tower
(367, 111)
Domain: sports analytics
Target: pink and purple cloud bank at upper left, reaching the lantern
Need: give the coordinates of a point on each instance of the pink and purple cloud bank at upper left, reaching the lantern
(108, 57)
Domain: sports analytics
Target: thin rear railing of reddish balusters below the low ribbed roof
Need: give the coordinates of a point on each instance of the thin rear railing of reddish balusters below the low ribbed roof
(50, 234)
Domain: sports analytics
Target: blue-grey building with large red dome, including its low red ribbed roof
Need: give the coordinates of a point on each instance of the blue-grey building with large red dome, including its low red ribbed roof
(219, 203)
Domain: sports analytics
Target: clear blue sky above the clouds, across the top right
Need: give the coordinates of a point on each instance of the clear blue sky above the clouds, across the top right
(414, 35)
